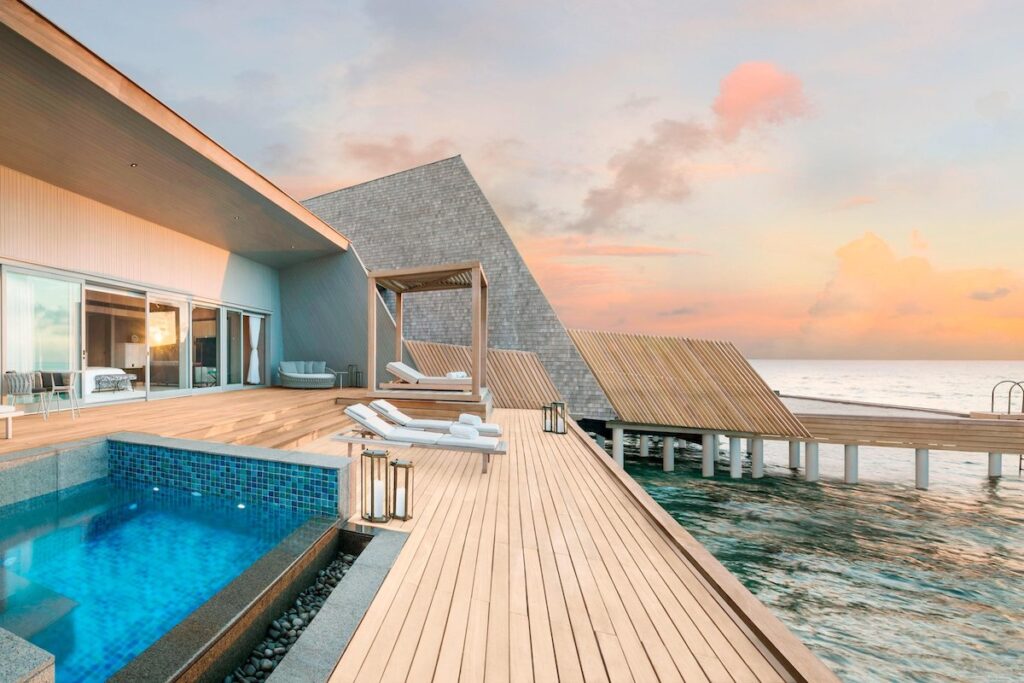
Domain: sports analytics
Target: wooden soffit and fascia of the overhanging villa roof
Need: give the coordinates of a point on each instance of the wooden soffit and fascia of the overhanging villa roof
(72, 120)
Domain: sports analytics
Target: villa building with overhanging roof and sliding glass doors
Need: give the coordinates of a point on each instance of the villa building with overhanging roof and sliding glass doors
(134, 245)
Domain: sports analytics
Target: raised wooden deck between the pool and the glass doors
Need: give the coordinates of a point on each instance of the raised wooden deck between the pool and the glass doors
(274, 418)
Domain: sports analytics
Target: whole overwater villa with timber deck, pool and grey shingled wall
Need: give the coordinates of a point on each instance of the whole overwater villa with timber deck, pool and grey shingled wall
(169, 511)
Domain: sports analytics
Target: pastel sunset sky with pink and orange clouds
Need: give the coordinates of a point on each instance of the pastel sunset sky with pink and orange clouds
(807, 180)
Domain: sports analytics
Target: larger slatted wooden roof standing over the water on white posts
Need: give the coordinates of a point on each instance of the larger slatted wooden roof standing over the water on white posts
(686, 383)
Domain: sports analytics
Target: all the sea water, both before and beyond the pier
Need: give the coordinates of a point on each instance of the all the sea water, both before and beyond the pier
(883, 582)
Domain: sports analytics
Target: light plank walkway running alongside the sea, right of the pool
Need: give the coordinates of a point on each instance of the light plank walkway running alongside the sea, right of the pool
(553, 568)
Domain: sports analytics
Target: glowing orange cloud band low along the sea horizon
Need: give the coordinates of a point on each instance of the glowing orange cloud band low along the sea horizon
(879, 305)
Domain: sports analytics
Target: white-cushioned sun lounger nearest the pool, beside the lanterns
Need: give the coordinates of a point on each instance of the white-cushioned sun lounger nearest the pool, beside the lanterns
(372, 431)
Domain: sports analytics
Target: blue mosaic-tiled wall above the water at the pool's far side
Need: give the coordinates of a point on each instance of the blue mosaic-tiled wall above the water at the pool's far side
(301, 488)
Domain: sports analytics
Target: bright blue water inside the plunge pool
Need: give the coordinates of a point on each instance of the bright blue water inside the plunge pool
(98, 574)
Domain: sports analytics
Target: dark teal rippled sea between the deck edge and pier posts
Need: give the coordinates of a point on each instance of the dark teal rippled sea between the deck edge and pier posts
(880, 580)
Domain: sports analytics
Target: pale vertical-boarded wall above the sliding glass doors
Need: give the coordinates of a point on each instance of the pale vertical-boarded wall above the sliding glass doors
(44, 225)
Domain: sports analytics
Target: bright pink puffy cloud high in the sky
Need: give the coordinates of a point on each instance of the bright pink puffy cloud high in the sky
(756, 94)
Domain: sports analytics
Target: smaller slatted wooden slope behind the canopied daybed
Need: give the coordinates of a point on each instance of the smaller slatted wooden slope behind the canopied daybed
(517, 379)
